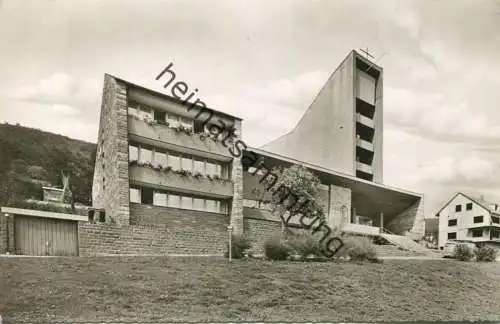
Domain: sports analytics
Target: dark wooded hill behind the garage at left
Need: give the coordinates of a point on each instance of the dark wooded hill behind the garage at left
(31, 158)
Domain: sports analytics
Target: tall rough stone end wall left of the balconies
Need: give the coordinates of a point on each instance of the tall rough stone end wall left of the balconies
(110, 188)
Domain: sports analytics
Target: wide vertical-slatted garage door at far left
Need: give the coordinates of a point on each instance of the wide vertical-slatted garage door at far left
(45, 236)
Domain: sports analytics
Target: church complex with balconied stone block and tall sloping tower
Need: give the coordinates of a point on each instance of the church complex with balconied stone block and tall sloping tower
(169, 186)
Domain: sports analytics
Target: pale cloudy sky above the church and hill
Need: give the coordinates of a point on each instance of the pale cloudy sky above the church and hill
(264, 61)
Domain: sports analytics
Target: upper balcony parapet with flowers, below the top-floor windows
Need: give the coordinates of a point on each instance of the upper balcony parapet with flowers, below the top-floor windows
(173, 139)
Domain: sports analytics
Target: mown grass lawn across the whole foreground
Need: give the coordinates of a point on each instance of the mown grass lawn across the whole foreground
(210, 289)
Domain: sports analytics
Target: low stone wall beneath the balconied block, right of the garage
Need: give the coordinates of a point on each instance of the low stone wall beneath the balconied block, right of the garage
(157, 230)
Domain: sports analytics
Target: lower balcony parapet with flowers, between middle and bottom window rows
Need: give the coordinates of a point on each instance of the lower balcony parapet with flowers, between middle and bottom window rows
(171, 180)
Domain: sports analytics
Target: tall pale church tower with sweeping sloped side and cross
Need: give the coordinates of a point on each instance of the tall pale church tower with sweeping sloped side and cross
(342, 129)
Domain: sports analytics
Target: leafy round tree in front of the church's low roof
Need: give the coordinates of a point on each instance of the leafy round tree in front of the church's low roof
(296, 193)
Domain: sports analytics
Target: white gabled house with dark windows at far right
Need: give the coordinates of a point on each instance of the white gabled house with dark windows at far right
(470, 219)
